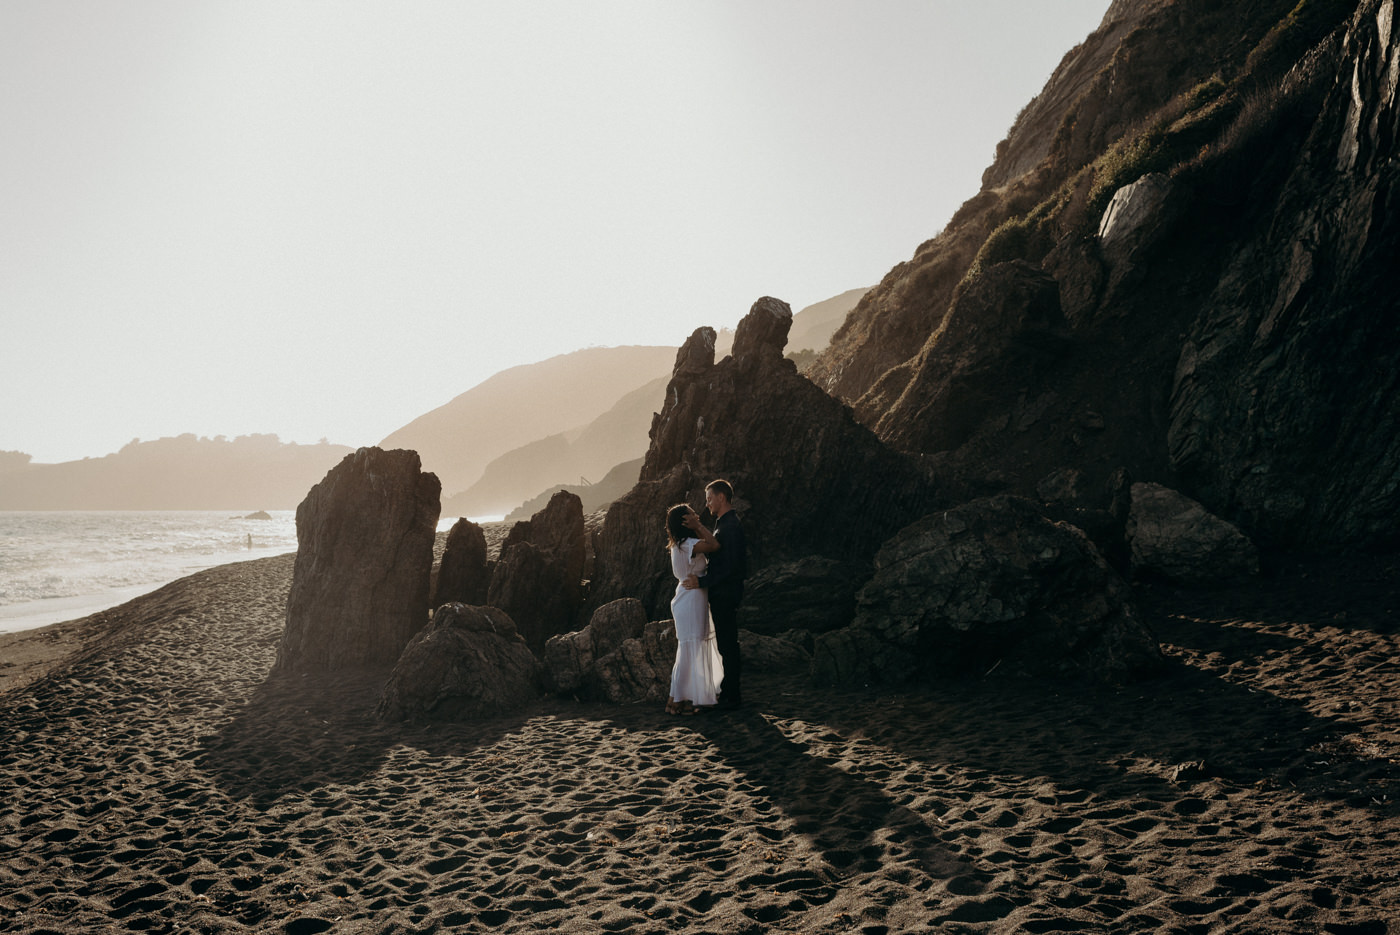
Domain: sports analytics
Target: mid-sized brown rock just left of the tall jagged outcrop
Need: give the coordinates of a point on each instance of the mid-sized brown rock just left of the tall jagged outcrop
(538, 580)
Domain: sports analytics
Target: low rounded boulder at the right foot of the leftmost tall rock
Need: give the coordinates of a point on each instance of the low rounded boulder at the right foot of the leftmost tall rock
(468, 663)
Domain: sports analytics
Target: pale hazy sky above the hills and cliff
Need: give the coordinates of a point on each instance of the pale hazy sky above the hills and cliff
(325, 219)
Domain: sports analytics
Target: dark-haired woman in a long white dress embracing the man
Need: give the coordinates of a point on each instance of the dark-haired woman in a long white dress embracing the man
(695, 678)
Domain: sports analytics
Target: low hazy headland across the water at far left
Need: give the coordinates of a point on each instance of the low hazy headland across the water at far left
(251, 472)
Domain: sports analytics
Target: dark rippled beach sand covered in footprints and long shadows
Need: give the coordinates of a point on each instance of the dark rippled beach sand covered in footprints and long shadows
(156, 779)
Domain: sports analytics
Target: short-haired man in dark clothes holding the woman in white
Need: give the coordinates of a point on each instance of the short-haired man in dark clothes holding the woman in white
(724, 580)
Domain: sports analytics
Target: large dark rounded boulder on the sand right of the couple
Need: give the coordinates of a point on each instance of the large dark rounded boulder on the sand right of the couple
(989, 586)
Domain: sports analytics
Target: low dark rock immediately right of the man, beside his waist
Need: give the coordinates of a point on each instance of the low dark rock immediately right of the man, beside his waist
(813, 594)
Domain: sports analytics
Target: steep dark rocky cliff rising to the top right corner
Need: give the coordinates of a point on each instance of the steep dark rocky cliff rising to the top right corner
(1179, 267)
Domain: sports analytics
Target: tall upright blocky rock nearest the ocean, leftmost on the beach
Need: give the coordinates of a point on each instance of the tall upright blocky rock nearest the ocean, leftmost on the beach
(365, 558)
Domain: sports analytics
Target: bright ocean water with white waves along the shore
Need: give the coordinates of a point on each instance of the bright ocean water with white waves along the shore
(66, 565)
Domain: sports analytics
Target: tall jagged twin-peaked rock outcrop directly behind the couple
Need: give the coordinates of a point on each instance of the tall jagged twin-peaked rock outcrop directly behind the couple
(790, 451)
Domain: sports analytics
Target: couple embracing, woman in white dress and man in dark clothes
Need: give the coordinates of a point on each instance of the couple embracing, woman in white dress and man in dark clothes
(709, 569)
